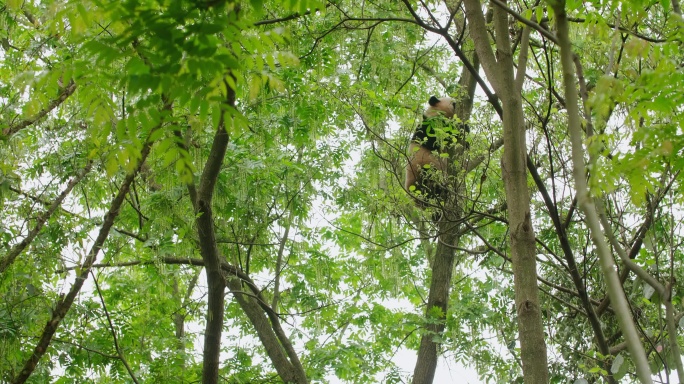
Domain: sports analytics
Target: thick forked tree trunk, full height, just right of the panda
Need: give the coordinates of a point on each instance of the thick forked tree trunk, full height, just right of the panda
(499, 71)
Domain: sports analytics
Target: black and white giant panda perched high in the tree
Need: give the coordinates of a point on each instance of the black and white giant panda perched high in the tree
(431, 137)
